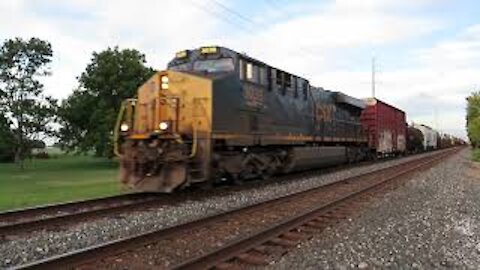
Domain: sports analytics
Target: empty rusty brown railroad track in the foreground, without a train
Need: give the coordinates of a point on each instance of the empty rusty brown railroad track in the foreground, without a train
(249, 235)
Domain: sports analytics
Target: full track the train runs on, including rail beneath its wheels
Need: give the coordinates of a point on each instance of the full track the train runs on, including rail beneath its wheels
(57, 216)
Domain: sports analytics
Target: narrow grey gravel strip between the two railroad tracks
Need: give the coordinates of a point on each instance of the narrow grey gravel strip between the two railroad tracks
(21, 250)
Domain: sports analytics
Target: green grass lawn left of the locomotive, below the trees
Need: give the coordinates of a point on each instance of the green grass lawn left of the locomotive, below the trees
(64, 178)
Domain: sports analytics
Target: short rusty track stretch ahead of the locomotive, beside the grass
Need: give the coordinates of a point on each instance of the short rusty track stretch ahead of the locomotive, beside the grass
(30, 219)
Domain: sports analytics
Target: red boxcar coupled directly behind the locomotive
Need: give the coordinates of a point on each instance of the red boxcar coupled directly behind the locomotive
(385, 126)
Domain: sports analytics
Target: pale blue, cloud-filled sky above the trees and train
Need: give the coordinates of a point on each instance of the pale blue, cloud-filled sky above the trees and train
(427, 52)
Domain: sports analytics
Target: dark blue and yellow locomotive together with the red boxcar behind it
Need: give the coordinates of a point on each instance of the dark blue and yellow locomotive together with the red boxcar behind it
(219, 115)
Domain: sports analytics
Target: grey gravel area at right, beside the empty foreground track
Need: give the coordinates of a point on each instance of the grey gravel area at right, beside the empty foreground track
(432, 222)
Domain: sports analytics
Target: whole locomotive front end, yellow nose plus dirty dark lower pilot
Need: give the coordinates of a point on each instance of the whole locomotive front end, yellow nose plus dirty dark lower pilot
(171, 133)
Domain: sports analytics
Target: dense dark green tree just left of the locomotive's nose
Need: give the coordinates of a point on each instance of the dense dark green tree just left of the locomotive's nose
(88, 115)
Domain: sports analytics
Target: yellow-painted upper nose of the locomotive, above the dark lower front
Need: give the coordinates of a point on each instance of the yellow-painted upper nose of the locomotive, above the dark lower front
(186, 104)
